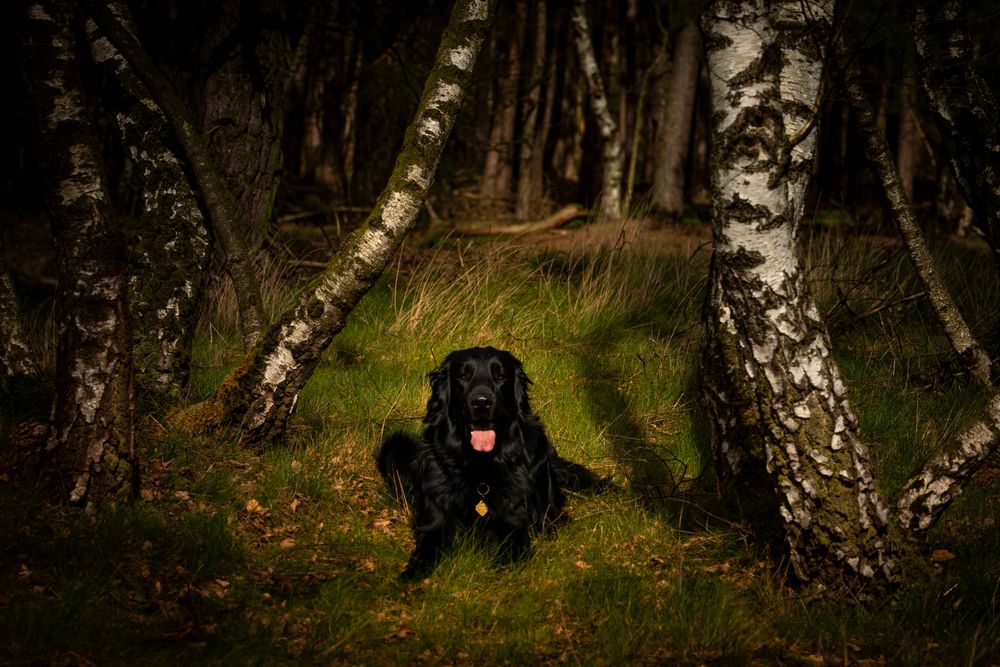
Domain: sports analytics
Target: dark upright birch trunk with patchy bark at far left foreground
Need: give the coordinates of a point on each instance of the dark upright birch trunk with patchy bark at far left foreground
(90, 448)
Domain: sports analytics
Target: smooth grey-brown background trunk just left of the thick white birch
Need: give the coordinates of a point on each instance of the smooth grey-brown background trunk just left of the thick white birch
(674, 135)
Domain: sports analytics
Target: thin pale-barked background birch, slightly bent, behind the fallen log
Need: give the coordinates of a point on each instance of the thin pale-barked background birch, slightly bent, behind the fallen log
(611, 194)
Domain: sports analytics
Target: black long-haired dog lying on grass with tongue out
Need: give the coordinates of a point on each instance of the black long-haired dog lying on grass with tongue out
(483, 463)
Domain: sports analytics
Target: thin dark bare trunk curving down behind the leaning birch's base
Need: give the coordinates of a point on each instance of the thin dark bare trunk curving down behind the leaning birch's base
(214, 190)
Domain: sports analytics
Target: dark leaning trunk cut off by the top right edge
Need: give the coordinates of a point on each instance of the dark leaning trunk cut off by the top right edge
(964, 108)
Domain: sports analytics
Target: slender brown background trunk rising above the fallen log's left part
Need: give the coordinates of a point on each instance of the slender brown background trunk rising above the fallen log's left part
(528, 188)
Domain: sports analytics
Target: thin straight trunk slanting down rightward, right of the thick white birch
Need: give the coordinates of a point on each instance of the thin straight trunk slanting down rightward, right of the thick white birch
(970, 353)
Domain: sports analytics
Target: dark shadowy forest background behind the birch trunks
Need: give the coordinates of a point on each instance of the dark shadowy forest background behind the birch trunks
(331, 86)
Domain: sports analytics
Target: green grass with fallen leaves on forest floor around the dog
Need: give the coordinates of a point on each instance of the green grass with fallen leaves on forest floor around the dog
(290, 554)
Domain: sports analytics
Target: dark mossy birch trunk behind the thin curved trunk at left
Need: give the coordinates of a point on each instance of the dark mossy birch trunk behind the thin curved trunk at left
(171, 242)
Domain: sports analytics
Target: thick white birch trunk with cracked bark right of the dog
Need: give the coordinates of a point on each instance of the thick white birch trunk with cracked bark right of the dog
(782, 424)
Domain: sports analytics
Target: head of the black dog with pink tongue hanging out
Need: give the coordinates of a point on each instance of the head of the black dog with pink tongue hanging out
(481, 391)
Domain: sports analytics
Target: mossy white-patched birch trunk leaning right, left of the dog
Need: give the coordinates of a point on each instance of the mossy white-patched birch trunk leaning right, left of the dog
(261, 392)
